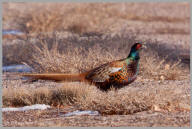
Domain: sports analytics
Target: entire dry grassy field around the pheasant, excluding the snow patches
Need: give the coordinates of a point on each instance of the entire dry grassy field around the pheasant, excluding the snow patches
(73, 38)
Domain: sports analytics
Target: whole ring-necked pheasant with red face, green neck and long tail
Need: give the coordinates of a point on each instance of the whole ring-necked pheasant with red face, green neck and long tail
(116, 73)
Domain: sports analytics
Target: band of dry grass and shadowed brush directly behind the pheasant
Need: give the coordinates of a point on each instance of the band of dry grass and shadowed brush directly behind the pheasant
(54, 53)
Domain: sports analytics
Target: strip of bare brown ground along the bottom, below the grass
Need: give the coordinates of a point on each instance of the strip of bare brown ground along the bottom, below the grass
(51, 118)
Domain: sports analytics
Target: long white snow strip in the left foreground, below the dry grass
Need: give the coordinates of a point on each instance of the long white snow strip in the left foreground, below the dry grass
(25, 108)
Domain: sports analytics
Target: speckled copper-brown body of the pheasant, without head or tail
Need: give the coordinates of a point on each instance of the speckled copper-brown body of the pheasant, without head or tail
(116, 74)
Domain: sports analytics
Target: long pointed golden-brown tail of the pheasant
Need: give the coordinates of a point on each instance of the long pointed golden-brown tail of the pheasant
(57, 77)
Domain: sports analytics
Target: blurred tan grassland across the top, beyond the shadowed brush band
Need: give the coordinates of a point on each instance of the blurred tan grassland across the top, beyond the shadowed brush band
(153, 20)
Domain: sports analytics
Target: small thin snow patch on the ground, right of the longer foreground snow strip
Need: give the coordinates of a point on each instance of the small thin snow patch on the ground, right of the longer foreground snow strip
(78, 113)
